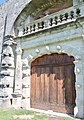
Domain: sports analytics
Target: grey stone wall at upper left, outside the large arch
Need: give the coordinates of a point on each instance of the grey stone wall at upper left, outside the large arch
(12, 9)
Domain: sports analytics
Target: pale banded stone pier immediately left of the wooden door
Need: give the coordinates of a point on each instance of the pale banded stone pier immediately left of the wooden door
(26, 83)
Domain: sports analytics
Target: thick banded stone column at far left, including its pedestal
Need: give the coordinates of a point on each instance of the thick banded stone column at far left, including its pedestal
(7, 70)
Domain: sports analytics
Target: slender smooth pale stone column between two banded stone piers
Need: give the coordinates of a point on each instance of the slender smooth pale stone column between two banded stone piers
(17, 95)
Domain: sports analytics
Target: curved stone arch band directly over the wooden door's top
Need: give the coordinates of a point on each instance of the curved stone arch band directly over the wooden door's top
(69, 50)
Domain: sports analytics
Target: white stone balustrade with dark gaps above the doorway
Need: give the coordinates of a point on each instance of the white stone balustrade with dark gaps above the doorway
(49, 21)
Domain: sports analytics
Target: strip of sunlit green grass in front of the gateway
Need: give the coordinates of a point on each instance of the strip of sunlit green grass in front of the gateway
(13, 114)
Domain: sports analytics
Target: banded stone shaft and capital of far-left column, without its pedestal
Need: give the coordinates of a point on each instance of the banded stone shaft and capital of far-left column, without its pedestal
(7, 64)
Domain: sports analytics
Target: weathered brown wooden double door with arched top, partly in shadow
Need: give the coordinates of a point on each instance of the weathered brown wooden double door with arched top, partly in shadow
(53, 83)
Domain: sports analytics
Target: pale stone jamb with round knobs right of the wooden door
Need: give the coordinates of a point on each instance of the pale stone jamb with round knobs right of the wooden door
(79, 71)
